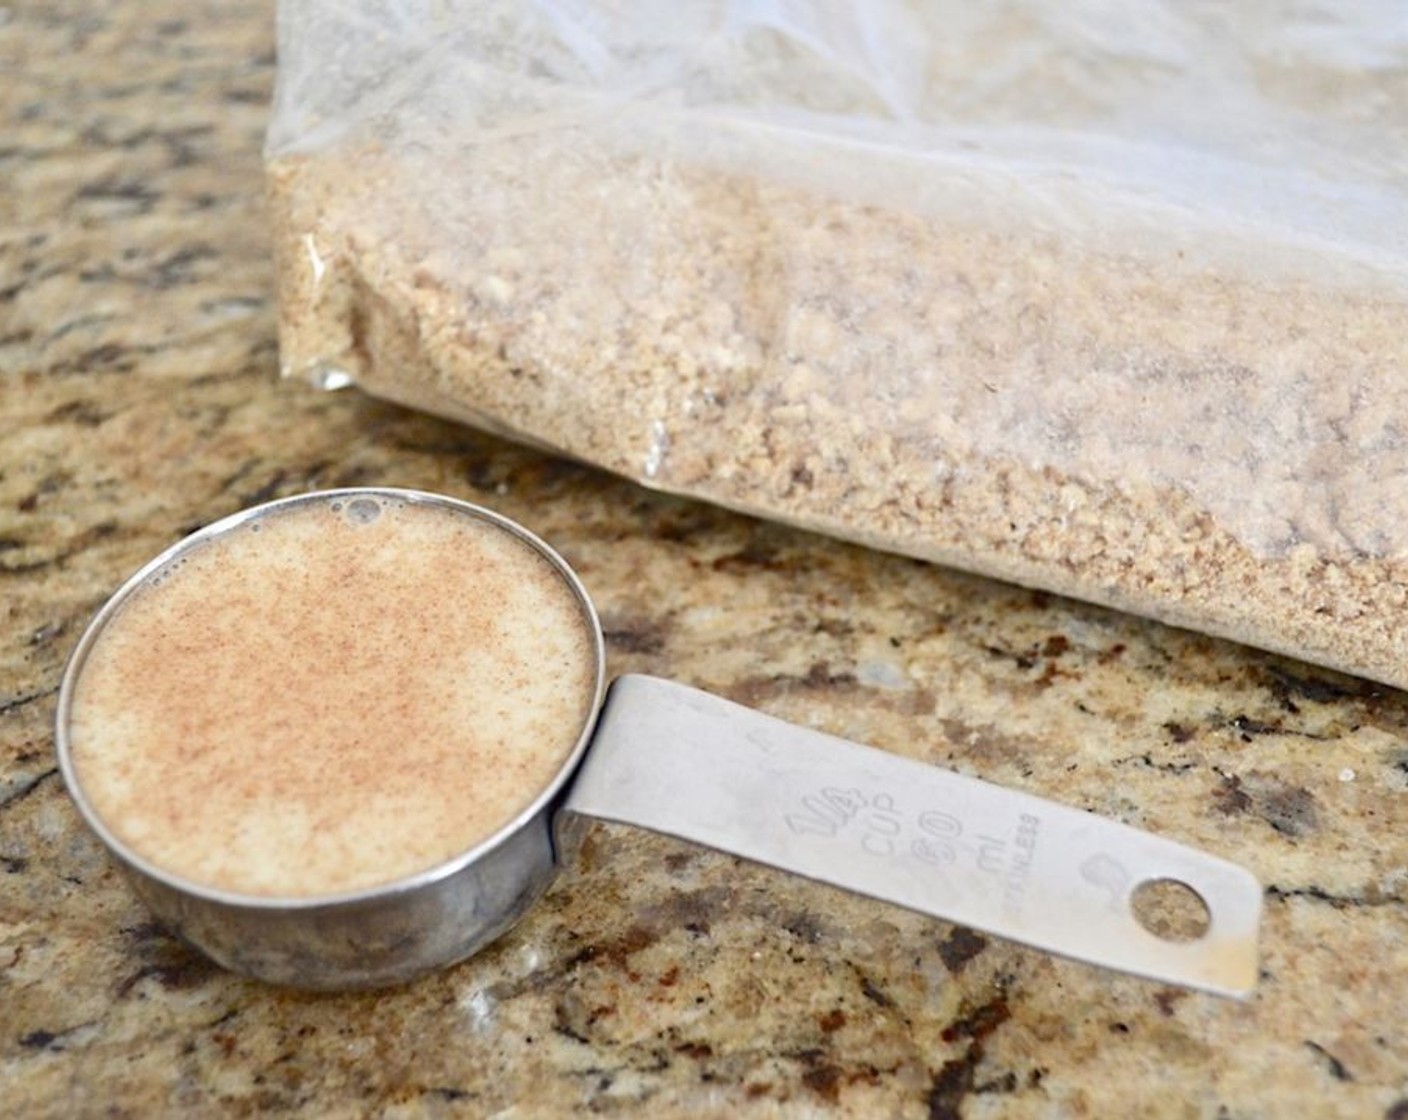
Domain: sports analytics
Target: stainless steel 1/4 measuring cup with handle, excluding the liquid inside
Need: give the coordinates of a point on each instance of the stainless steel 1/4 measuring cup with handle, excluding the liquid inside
(675, 760)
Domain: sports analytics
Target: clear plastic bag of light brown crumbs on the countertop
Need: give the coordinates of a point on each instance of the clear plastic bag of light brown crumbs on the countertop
(1100, 298)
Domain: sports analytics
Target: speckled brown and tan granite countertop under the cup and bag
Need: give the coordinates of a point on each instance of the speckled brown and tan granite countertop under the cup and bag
(140, 399)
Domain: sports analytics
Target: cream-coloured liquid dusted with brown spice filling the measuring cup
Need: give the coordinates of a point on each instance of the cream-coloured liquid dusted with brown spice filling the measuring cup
(333, 697)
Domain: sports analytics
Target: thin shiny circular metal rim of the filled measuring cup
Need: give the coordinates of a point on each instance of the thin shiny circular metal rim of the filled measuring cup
(406, 884)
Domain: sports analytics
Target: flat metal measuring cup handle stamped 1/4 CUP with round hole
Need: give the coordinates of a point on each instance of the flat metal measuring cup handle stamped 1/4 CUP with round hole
(681, 761)
